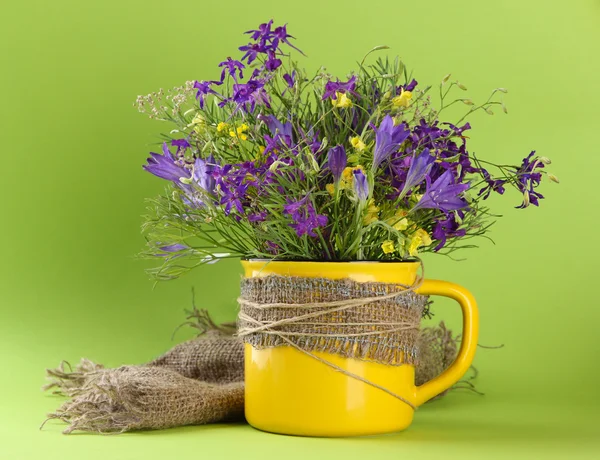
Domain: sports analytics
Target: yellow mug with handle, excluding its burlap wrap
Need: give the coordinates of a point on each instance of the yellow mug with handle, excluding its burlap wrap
(290, 392)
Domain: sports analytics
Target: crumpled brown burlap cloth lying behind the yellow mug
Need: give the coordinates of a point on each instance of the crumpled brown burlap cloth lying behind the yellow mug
(198, 381)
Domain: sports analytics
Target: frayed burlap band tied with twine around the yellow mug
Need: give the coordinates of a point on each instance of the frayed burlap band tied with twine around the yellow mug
(343, 317)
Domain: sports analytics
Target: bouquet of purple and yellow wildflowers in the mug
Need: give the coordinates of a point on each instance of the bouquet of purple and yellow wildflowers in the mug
(268, 161)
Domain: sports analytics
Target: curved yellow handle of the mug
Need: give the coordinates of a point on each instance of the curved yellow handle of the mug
(469, 338)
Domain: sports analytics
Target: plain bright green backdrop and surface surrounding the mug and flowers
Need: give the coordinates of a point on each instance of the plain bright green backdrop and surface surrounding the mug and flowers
(73, 191)
